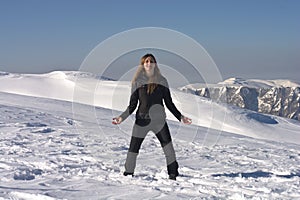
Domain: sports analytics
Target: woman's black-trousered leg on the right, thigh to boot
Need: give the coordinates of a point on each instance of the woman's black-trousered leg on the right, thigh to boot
(165, 140)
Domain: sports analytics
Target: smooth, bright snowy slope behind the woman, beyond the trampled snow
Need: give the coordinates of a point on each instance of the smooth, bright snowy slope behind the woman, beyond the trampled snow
(85, 88)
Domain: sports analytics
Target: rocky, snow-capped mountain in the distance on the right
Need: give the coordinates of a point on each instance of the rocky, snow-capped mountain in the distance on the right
(276, 97)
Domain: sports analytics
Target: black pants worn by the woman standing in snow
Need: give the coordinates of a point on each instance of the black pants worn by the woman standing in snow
(139, 132)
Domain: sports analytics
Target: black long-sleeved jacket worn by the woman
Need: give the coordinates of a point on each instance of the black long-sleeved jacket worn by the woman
(150, 105)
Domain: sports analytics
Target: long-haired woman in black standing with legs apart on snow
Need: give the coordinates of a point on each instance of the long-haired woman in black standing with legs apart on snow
(150, 88)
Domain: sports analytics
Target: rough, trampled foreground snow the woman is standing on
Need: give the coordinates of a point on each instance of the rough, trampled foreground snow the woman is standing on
(47, 152)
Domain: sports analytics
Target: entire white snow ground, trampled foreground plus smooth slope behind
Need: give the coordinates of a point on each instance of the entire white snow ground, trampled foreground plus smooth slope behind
(57, 142)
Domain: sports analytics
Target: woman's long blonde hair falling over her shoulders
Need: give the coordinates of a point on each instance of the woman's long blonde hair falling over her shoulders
(153, 80)
